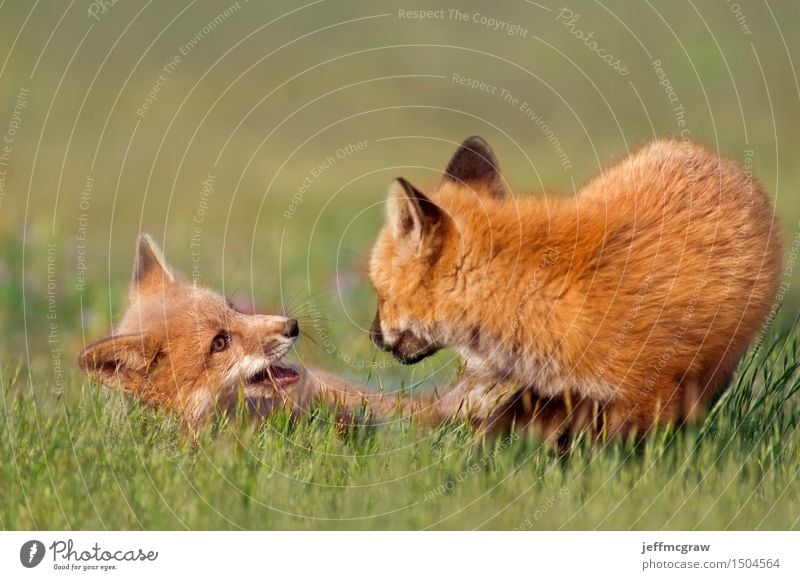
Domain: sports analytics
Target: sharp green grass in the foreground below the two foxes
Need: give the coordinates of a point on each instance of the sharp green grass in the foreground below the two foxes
(97, 460)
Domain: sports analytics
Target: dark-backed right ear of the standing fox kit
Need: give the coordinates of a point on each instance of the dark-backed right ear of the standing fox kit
(474, 163)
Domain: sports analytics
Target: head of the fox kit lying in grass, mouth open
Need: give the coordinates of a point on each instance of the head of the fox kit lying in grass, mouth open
(185, 348)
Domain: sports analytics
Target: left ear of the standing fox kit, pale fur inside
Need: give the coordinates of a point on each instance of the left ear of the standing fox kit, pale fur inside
(411, 214)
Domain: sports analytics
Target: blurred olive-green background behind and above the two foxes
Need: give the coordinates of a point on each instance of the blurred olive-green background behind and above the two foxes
(247, 165)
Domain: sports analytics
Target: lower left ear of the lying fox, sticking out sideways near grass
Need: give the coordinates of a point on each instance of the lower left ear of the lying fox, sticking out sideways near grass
(120, 361)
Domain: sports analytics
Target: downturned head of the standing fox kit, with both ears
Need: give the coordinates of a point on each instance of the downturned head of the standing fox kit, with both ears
(415, 266)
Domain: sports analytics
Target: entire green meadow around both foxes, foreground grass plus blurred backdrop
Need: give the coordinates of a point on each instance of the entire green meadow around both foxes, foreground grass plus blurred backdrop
(256, 143)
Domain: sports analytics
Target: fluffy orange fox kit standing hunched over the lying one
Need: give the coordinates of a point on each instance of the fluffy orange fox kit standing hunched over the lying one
(627, 305)
